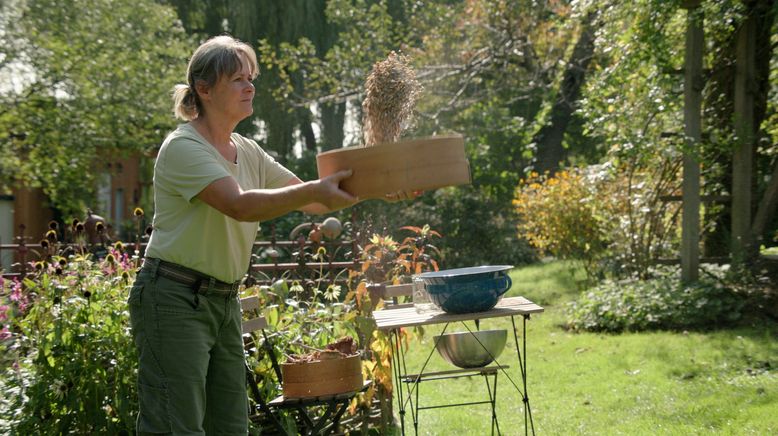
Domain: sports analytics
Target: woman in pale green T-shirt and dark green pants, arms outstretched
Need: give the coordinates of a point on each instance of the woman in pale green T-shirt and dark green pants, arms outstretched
(211, 188)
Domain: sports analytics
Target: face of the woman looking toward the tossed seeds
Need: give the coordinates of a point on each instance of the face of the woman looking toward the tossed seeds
(233, 94)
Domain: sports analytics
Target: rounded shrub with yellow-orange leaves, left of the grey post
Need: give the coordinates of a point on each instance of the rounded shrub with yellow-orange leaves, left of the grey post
(610, 218)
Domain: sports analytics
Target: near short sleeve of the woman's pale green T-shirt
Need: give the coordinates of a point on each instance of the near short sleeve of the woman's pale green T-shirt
(186, 168)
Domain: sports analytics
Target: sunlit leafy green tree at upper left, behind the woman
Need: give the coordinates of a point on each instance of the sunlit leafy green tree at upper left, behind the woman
(98, 83)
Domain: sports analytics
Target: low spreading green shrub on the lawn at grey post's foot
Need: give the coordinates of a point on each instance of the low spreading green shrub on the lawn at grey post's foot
(662, 302)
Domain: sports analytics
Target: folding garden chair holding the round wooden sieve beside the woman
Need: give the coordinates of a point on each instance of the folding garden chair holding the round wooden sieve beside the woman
(317, 415)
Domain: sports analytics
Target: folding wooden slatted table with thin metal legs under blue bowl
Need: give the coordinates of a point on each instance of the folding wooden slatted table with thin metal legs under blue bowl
(393, 319)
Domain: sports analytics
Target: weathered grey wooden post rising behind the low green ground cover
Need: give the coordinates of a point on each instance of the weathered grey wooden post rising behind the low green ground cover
(693, 84)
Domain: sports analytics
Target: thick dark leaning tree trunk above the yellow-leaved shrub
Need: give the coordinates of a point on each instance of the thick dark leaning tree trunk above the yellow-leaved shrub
(548, 140)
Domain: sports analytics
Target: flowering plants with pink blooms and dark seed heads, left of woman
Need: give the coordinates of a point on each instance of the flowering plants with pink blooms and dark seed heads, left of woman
(71, 357)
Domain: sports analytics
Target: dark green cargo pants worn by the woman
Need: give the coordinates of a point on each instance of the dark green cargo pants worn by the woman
(191, 373)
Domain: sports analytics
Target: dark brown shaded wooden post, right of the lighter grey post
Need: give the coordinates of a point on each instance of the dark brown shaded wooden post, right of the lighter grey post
(742, 162)
